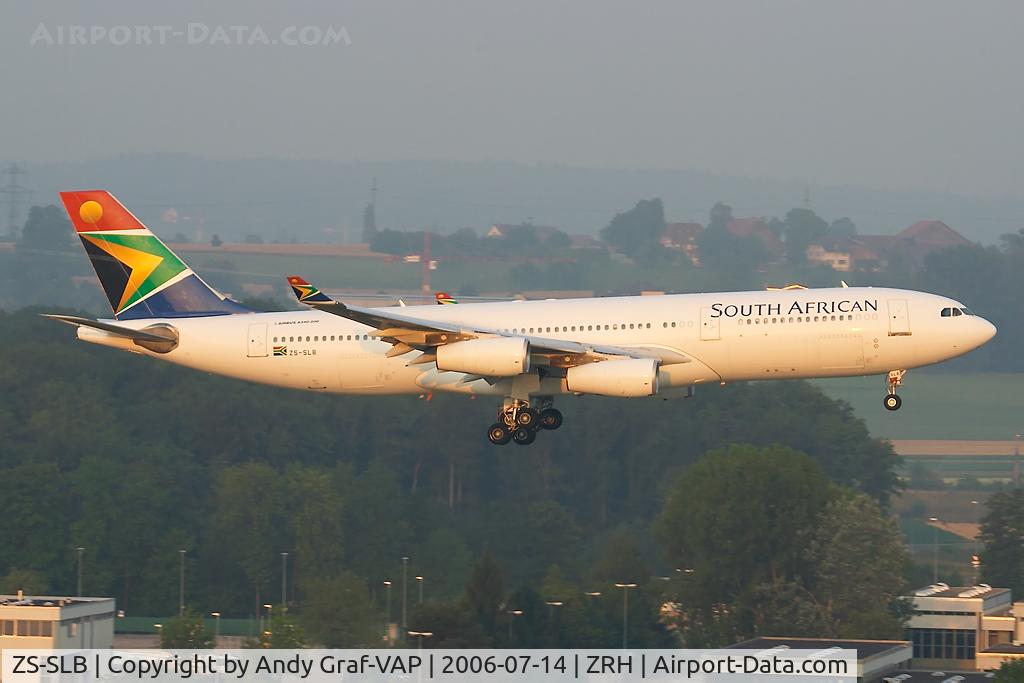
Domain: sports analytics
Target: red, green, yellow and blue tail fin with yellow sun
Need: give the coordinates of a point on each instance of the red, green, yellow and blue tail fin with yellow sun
(140, 275)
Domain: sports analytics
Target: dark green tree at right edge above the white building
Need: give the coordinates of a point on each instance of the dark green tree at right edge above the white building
(1003, 534)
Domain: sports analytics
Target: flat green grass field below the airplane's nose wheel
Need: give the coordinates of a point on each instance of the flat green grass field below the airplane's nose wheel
(938, 406)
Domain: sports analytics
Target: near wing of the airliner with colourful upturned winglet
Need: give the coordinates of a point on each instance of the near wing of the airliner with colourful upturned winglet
(408, 333)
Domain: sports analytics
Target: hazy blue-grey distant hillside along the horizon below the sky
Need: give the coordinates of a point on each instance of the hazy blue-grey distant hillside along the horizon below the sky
(321, 201)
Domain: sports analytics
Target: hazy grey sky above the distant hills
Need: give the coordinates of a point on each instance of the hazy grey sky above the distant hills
(901, 95)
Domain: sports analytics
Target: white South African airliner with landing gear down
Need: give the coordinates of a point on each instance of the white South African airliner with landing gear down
(523, 353)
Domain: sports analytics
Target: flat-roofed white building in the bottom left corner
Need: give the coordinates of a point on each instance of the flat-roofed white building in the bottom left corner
(56, 623)
